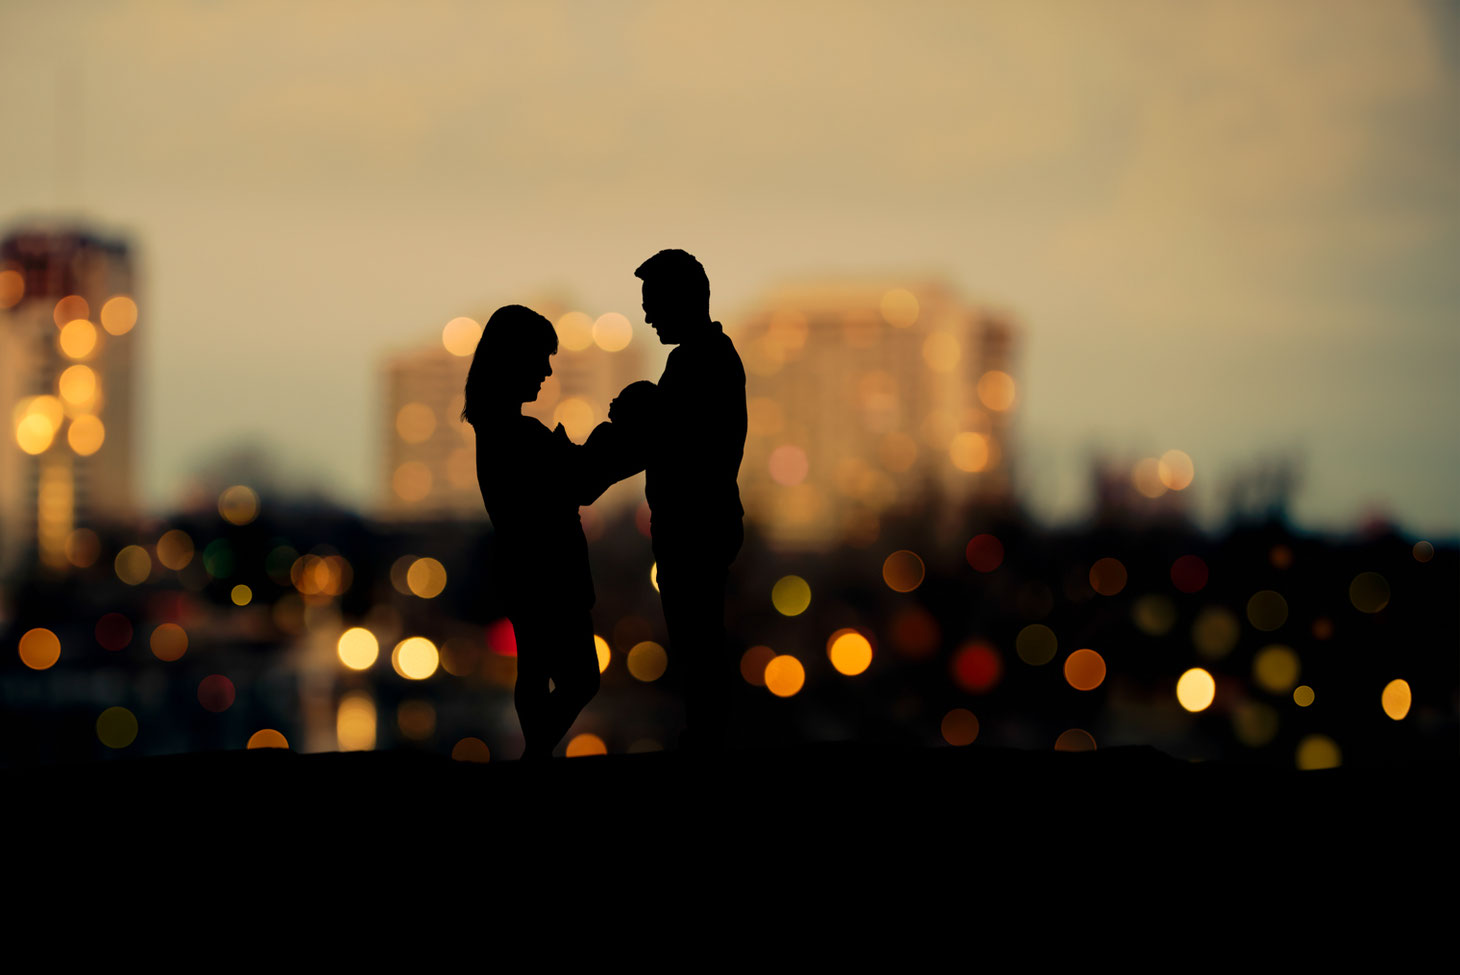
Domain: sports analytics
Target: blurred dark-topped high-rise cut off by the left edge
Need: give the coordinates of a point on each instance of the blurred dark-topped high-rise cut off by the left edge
(68, 376)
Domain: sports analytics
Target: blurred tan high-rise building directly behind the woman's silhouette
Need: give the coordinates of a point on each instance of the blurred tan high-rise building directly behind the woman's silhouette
(430, 453)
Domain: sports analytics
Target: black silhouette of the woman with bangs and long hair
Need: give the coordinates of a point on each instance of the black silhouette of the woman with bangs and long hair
(534, 482)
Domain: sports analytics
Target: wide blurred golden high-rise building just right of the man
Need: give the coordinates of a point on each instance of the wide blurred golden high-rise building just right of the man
(868, 399)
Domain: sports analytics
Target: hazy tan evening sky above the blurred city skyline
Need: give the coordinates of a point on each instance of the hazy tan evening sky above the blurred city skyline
(1229, 228)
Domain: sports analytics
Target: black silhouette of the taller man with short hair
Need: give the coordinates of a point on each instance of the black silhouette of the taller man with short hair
(693, 460)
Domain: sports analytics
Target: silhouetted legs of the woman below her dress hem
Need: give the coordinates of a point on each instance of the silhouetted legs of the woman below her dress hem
(560, 649)
